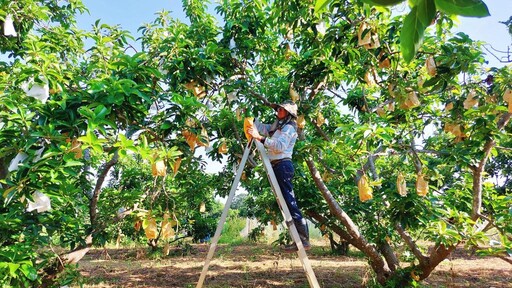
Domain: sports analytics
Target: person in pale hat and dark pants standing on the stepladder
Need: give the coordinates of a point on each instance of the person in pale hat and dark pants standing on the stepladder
(278, 139)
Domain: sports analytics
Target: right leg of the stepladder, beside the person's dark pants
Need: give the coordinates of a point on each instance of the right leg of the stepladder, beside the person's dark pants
(310, 274)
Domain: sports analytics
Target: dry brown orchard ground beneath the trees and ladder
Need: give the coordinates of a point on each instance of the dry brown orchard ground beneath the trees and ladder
(261, 265)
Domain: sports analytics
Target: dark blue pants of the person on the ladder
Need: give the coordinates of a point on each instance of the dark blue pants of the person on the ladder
(284, 173)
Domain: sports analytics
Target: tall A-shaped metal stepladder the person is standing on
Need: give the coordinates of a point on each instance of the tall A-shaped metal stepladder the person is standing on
(306, 264)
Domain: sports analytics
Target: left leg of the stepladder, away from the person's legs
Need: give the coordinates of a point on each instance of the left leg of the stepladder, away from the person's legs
(224, 215)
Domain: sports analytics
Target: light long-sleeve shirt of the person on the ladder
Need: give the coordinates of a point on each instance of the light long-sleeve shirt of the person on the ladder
(280, 144)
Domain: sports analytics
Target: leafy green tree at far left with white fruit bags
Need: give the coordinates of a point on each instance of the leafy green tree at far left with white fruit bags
(70, 113)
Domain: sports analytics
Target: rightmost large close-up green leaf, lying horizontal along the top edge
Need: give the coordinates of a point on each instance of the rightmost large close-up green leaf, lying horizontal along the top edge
(468, 8)
